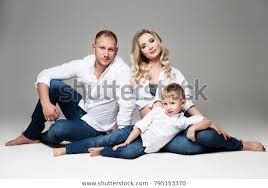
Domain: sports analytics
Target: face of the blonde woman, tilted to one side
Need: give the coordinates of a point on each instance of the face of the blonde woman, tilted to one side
(150, 47)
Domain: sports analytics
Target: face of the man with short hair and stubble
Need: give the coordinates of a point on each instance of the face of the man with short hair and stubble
(105, 50)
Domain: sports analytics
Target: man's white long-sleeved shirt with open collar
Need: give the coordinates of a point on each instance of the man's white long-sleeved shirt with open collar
(102, 114)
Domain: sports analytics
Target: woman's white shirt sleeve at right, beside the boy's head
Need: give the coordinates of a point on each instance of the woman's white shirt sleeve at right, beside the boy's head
(180, 79)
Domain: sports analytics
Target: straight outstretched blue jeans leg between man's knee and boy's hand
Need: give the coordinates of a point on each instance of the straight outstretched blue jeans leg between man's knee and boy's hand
(116, 137)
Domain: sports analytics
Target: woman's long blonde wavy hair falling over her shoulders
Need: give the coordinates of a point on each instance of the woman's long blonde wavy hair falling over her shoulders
(140, 64)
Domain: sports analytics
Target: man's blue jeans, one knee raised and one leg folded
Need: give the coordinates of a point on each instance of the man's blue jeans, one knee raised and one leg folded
(70, 129)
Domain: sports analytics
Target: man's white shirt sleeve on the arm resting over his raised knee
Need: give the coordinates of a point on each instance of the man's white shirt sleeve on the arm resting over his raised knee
(62, 72)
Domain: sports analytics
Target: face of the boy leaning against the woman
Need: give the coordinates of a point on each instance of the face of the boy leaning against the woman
(173, 106)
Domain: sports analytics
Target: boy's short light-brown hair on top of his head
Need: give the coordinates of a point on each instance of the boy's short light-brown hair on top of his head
(173, 90)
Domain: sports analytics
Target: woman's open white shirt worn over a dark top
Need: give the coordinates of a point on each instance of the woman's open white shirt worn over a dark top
(143, 96)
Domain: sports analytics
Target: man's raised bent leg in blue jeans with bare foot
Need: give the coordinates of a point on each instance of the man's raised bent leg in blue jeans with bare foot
(68, 100)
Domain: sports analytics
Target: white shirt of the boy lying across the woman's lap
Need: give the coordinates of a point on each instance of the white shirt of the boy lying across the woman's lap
(157, 128)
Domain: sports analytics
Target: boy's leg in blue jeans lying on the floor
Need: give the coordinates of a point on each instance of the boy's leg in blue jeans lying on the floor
(131, 151)
